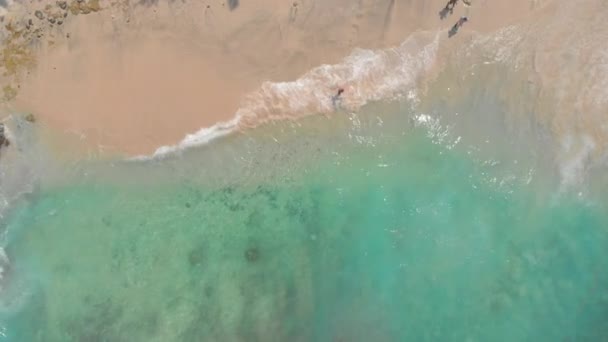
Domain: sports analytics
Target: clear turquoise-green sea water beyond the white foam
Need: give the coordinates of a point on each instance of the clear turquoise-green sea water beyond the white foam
(350, 230)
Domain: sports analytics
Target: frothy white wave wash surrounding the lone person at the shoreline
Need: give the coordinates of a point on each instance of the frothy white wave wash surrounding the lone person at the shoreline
(367, 75)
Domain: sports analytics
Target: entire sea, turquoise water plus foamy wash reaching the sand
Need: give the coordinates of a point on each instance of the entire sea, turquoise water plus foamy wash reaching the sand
(457, 193)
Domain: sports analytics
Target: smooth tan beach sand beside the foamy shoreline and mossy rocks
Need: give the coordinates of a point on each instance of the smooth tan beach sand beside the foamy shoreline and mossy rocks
(129, 78)
